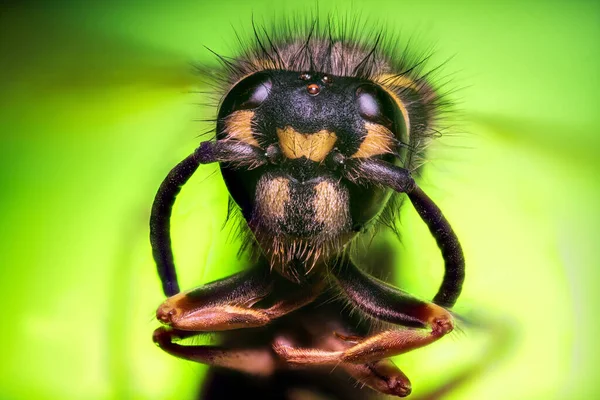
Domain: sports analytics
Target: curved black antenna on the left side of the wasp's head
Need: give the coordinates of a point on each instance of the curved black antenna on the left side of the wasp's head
(237, 153)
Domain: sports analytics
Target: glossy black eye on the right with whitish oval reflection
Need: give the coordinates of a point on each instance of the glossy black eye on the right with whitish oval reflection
(375, 105)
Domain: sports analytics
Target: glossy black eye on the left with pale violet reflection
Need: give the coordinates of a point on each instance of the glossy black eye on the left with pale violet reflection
(249, 93)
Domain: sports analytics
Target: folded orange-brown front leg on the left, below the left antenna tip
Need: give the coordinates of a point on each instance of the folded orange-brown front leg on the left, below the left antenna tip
(230, 303)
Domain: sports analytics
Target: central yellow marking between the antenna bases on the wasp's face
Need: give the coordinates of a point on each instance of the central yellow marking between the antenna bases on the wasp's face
(314, 146)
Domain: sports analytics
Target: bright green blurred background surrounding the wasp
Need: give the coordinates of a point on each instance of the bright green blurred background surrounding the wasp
(97, 105)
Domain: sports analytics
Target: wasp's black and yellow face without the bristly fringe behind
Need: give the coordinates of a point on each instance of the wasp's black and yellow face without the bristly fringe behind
(308, 124)
